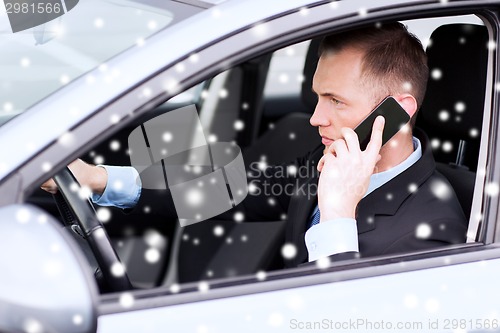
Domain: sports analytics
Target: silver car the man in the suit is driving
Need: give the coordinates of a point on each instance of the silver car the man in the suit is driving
(78, 86)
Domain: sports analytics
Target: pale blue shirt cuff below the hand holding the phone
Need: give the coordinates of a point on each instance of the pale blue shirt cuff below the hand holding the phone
(331, 237)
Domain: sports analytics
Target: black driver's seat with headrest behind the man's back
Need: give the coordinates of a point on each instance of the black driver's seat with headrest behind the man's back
(452, 111)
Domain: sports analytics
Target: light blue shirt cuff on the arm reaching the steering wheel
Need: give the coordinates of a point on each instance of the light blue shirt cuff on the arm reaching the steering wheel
(123, 188)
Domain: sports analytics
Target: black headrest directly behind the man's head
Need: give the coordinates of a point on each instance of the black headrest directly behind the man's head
(454, 101)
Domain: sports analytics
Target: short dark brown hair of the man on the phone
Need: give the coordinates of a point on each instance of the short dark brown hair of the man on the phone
(394, 59)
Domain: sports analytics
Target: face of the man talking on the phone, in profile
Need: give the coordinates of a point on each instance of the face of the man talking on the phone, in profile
(342, 100)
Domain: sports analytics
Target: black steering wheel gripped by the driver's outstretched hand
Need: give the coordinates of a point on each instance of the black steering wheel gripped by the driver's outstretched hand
(91, 229)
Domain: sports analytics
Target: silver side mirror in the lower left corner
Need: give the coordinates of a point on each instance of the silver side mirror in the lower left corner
(45, 282)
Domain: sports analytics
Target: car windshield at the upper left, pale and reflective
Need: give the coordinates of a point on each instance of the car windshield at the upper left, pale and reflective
(37, 61)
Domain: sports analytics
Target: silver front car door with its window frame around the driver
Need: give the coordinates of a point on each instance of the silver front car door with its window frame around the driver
(447, 289)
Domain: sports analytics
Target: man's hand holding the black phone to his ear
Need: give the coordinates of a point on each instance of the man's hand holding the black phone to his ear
(345, 172)
